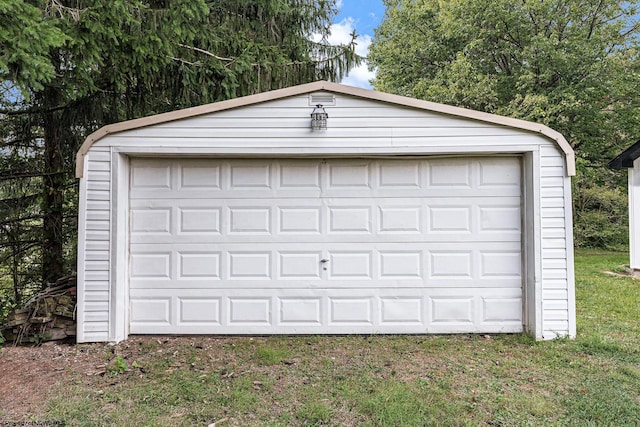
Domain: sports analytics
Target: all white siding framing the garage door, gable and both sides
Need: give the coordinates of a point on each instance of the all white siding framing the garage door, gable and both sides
(356, 127)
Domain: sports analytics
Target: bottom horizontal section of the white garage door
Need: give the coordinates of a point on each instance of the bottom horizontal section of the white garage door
(314, 310)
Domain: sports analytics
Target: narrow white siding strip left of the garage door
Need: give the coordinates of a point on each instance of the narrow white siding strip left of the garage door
(96, 253)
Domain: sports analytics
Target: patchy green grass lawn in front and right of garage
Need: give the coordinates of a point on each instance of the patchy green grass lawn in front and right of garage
(466, 380)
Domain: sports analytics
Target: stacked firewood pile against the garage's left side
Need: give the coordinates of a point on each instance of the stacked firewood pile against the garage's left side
(49, 315)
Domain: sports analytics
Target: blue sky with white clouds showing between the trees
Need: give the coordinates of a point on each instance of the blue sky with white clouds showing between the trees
(363, 16)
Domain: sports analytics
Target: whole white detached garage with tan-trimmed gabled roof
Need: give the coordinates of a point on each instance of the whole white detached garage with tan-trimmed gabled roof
(386, 215)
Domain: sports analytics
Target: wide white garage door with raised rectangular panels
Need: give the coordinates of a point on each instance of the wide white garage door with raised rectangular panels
(230, 246)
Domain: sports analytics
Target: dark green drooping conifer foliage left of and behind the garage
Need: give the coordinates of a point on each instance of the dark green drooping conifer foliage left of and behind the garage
(70, 67)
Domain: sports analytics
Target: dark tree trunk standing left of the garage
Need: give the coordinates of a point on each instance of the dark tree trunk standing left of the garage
(53, 191)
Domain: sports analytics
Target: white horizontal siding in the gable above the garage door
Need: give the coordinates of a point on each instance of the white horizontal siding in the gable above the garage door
(352, 123)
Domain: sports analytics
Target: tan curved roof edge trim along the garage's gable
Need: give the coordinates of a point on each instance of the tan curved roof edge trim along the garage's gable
(334, 88)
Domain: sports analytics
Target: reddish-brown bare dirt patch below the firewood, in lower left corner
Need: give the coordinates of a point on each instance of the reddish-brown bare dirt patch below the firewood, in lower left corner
(28, 374)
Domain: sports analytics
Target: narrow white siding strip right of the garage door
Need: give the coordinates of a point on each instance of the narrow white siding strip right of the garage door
(555, 295)
